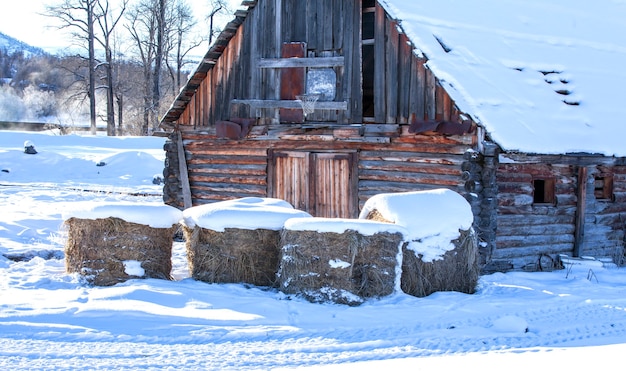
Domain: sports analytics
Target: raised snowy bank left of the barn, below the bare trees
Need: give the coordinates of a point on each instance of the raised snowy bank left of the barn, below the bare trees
(111, 164)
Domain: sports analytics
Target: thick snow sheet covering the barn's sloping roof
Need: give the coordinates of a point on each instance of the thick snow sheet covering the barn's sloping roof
(540, 76)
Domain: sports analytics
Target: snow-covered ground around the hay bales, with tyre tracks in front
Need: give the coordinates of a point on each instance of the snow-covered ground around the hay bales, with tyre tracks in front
(574, 319)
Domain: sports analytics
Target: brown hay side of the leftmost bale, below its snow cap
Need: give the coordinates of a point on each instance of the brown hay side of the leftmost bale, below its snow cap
(108, 251)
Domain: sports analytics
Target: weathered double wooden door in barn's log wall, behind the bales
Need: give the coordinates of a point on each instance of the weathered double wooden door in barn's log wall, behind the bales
(322, 184)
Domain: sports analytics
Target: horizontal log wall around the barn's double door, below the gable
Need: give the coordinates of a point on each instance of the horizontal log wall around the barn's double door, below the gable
(226, 169)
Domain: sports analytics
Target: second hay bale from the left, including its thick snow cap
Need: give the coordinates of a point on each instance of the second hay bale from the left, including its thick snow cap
(236, 241)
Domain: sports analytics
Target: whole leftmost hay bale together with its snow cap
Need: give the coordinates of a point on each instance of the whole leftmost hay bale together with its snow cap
(109, 244)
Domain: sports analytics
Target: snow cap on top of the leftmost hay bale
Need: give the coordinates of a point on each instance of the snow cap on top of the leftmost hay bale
(155, 216)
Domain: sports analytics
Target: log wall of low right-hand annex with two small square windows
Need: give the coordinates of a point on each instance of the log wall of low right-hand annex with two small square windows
(551, 205)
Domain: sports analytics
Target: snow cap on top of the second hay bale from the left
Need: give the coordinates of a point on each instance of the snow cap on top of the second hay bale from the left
(244, 213)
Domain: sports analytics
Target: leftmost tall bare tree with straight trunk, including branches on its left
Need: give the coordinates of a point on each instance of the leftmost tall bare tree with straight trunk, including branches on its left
(79, 16)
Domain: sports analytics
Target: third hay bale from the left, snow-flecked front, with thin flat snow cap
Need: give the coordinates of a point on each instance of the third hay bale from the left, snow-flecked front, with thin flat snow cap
(340, 260)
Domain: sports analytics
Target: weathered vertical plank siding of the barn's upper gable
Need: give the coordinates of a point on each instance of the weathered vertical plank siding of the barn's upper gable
(242, 75)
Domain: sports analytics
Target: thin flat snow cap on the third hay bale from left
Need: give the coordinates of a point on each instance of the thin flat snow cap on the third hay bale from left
(338, 225)
